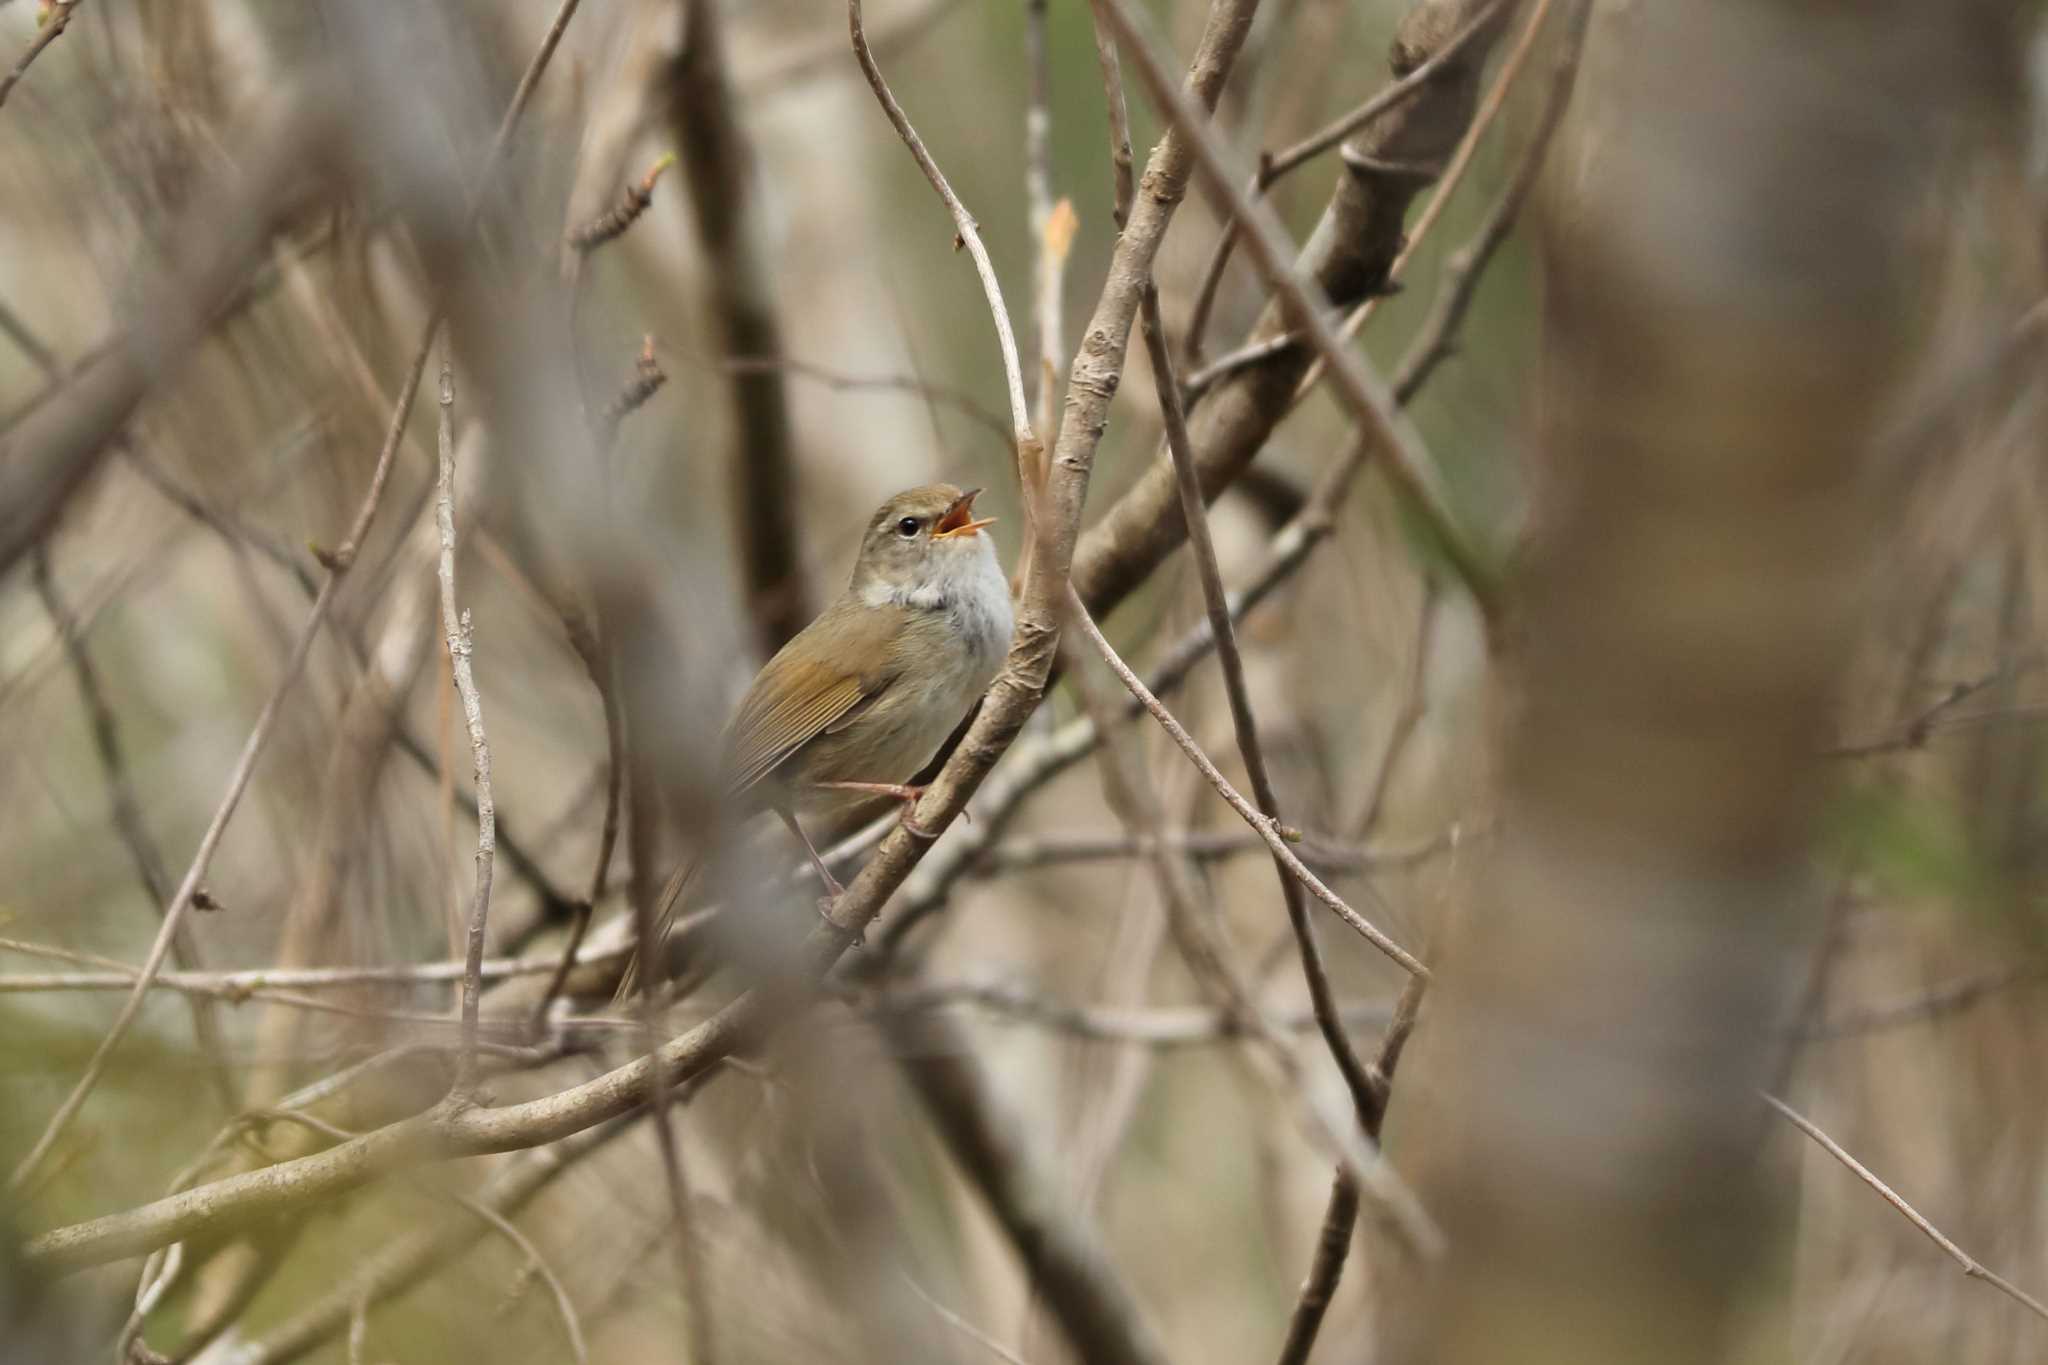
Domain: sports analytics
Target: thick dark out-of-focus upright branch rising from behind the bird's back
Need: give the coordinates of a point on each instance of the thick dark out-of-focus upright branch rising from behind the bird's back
(720, 167)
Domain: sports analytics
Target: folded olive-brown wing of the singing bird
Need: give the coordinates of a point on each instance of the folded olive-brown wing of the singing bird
(826, 676)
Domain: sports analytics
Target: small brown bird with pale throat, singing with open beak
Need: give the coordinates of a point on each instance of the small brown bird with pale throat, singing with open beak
(863, 697)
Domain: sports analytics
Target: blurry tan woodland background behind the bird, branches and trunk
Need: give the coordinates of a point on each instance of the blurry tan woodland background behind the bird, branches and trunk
(828, 1219)
